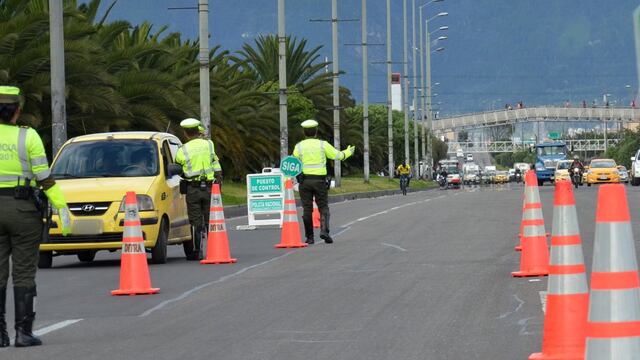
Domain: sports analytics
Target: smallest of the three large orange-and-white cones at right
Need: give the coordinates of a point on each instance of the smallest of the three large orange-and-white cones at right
(534, 258)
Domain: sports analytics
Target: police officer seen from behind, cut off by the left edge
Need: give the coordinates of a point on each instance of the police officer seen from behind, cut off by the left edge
(23, 164)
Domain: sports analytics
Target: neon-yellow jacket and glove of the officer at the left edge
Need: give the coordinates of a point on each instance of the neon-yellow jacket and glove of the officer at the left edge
(22, 157)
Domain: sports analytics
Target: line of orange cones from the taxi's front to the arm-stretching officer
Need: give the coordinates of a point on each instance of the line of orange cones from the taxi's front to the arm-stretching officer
(134, 271)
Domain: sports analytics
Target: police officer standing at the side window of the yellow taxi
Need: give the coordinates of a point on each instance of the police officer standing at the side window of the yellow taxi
(200, 166)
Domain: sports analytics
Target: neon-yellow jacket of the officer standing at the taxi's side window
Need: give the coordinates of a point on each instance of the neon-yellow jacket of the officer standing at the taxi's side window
(198, 159)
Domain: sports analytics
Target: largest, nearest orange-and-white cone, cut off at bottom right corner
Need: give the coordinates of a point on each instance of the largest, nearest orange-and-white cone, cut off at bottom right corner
(613, 327)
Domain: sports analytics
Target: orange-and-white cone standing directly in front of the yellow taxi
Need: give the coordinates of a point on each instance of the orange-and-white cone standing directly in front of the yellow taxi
(134, 271)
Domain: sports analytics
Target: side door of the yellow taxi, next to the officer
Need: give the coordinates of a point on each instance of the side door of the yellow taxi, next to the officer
(178, 210)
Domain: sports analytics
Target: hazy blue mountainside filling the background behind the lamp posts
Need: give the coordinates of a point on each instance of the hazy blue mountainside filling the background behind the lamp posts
(498, 51)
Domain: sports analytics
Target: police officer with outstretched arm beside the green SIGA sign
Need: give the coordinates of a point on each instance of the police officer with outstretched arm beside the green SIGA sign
(313, 181)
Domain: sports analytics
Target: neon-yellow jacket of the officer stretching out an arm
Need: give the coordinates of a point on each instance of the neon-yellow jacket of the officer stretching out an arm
(313, 153)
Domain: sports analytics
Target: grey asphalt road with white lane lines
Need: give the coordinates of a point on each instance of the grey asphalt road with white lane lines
(426, 276)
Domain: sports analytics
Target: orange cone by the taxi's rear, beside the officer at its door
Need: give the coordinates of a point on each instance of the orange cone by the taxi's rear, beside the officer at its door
(217, 240)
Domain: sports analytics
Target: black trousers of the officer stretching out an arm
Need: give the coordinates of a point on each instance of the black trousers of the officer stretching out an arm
(310, 188)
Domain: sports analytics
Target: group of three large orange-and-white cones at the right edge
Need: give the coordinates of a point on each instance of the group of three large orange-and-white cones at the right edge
(601, 324)
